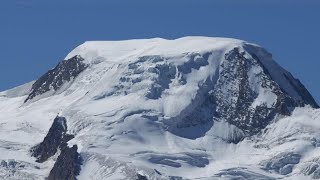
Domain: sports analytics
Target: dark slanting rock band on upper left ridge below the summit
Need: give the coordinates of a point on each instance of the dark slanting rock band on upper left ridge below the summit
(54, 79)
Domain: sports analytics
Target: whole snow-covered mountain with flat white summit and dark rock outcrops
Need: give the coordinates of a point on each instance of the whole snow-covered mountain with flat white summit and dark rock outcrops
(190, 108)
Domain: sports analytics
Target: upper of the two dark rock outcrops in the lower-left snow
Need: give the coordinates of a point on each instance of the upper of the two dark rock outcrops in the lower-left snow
(54, 139)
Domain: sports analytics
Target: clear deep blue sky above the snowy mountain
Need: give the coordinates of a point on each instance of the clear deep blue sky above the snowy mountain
(36, 34)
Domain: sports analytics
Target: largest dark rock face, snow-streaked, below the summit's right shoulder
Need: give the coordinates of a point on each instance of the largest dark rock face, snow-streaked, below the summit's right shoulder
(234, 95)
